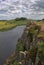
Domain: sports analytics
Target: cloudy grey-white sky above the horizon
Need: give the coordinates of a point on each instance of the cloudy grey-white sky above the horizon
(10, 9)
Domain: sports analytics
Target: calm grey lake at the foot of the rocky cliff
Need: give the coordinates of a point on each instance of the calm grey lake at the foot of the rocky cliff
(8, 41)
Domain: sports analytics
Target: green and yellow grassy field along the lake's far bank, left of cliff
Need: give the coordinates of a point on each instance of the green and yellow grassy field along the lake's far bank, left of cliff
(7, 25)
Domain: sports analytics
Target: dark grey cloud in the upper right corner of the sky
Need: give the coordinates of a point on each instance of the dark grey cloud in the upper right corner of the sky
(39, 6)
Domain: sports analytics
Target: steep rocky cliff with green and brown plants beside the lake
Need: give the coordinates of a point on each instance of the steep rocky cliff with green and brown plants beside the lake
(30, 47)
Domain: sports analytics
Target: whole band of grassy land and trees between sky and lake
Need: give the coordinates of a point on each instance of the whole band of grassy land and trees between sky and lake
(10, 24)
